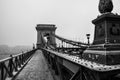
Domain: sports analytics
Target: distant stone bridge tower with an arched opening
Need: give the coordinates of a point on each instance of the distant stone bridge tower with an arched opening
(45, 30)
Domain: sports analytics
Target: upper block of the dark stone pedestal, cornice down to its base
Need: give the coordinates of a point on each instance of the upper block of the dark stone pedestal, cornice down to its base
(107, 29)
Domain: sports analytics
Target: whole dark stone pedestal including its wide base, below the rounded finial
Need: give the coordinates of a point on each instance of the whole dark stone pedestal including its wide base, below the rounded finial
(106, 45)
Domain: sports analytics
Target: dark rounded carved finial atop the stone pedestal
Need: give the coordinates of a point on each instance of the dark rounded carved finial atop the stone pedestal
(105, 6)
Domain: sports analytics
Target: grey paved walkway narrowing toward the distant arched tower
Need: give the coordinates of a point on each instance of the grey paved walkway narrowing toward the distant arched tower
(36, 69)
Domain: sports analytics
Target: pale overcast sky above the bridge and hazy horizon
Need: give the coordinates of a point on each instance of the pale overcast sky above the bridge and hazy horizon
(18, 19)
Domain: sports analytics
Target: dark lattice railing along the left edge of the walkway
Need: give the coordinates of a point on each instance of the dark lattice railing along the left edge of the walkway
(10, 66)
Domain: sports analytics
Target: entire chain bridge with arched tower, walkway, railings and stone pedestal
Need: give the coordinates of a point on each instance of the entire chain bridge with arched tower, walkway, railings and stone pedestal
(68, 59)
